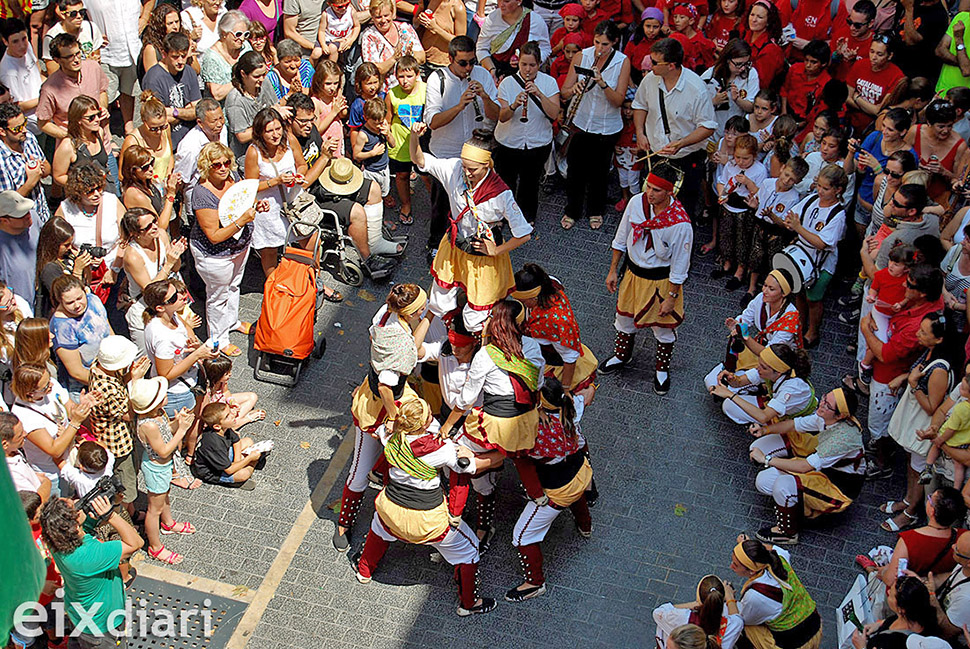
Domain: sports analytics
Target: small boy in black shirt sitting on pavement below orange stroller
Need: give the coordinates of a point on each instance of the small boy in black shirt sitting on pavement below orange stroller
(221, 457)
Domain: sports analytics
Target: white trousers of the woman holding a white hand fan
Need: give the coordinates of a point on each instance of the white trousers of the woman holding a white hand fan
(222, 277)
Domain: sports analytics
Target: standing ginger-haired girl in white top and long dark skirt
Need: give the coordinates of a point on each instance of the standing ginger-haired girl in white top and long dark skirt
(740, 178)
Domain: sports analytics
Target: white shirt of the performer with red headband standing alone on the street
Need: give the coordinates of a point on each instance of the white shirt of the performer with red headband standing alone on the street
(671, 246)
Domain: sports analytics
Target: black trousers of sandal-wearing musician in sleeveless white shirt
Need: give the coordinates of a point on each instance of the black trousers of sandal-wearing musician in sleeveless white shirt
(588, 173)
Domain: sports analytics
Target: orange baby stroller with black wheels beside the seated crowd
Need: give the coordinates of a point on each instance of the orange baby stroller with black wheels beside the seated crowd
(284, 331)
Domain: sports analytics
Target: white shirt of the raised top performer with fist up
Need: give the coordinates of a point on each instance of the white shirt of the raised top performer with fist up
(451, 175)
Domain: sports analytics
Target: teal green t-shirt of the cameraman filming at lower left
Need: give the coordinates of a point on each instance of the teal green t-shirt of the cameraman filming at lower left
(91, 575)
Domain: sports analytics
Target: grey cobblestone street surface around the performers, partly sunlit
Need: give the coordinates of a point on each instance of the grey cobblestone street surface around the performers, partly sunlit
(675, 485)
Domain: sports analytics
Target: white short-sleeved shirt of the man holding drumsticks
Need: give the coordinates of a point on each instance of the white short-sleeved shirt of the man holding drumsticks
(688, 107)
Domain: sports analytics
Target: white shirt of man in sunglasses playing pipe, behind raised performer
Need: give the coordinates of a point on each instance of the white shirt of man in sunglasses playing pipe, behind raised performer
(446, 141)
